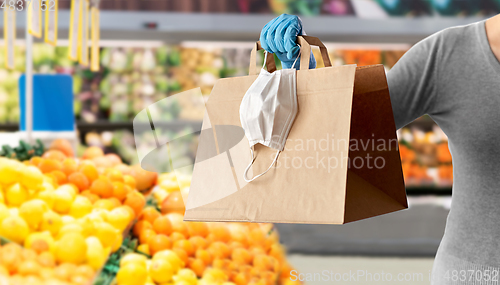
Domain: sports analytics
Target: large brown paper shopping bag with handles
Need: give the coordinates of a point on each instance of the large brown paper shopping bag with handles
(340, 163)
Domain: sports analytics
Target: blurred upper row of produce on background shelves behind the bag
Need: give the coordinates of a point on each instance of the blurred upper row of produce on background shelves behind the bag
(133, 78)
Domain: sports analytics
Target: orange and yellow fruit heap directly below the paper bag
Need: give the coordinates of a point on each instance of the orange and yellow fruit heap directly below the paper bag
(172, 251)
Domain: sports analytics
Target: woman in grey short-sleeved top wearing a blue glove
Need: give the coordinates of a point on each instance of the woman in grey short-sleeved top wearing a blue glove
(453, 76)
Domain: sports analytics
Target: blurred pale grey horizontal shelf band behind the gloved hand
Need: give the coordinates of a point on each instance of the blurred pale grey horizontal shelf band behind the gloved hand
(176, 27)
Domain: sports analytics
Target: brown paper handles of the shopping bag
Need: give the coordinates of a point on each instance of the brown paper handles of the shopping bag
(305, 43)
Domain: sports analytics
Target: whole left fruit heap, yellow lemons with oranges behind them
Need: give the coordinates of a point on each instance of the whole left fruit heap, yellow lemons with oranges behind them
(73, 212)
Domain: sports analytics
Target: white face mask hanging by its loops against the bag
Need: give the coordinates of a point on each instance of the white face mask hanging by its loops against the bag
(268, 110)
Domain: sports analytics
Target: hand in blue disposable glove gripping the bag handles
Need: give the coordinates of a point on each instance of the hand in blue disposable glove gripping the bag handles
(279, 36)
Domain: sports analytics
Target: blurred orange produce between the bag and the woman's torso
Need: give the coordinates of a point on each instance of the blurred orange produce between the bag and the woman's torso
(425, 157)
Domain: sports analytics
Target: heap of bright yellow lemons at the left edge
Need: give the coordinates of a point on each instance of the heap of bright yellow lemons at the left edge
(57, 220)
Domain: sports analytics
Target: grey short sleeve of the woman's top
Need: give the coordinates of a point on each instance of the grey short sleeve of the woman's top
(413, 81)
